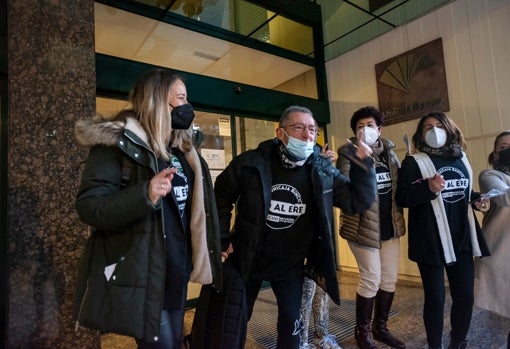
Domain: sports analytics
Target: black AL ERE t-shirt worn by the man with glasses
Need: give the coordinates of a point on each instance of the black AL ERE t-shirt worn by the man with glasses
(289, 224)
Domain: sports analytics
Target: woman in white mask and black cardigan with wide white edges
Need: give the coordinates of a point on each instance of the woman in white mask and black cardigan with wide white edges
(435, 183)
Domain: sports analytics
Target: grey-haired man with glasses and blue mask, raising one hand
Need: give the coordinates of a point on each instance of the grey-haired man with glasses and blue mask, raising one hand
(284, 192)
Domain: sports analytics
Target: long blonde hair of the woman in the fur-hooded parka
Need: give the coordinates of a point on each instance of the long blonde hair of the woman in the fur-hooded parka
(149, 98)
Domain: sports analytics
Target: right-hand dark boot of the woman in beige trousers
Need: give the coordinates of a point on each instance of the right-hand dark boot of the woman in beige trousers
(383, 301)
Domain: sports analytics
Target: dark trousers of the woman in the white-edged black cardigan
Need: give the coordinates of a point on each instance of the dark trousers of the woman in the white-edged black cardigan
(461, 281)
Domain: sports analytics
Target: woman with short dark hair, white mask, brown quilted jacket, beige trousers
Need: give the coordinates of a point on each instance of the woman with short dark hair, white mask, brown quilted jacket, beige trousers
(374, 235)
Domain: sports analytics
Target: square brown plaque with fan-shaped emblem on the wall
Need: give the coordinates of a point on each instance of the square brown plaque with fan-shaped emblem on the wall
(412, 84)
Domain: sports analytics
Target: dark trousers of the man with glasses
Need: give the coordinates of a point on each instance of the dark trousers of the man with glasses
(288, 298)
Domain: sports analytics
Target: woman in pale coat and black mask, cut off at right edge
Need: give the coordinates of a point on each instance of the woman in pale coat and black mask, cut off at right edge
(493, 274)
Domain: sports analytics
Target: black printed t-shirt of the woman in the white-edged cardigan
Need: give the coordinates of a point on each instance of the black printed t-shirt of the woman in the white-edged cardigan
(455, 199)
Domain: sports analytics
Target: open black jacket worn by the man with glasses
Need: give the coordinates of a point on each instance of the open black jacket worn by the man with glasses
(247, 182)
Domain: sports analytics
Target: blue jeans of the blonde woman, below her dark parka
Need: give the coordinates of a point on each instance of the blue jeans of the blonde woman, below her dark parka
(170, 331)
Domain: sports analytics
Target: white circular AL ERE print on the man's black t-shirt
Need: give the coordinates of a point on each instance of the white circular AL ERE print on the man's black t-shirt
(286, 206)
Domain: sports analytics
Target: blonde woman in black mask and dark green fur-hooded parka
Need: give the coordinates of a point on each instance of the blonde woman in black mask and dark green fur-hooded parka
(148, 196)
